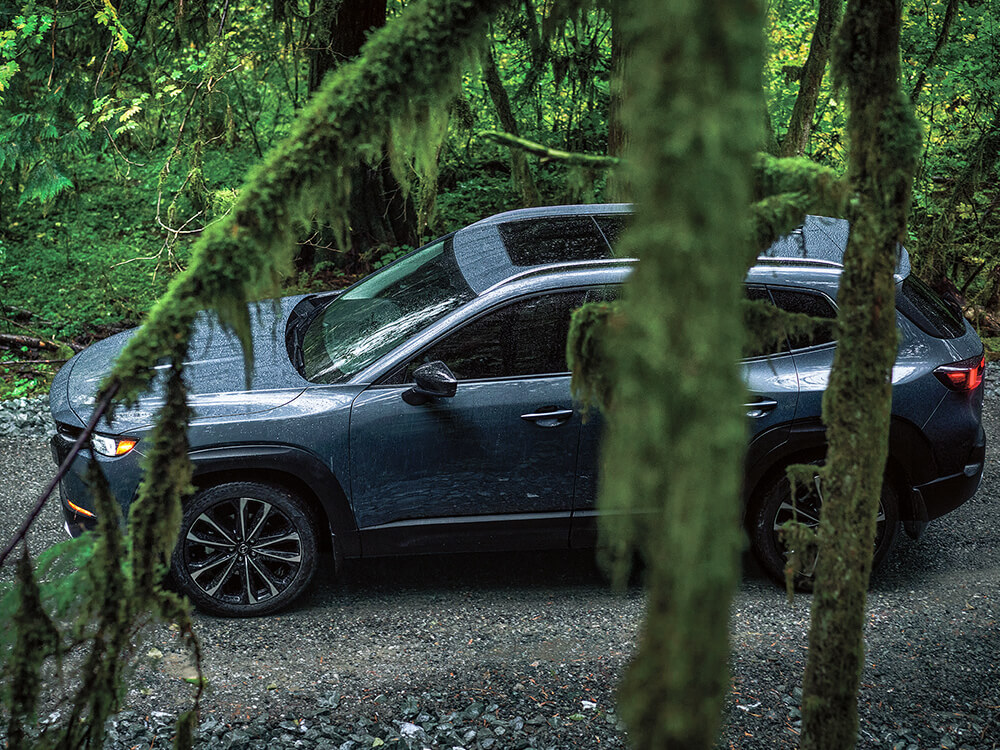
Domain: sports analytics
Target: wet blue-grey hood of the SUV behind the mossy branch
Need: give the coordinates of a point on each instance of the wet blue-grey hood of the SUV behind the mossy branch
(213, 370)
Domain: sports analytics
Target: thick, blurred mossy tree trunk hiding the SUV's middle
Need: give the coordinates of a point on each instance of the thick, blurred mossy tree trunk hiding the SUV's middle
(673, 453)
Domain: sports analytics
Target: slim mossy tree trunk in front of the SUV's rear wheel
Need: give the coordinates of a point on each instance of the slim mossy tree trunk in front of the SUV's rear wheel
(884, 140)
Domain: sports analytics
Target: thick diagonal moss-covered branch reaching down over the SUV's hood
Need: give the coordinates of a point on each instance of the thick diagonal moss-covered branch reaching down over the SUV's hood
(405, 68)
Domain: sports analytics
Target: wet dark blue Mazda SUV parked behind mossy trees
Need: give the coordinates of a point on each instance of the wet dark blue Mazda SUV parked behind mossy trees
(427, 409)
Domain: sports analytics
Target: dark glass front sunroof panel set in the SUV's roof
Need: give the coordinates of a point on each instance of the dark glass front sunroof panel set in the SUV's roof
(554, 239)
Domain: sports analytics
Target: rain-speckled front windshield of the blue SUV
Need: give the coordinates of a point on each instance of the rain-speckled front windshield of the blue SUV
(382, 311)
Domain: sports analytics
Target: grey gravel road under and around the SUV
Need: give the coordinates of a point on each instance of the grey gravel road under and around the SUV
(525, 651)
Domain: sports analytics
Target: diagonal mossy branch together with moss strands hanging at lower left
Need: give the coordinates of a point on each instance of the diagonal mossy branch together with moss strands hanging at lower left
(405, 72)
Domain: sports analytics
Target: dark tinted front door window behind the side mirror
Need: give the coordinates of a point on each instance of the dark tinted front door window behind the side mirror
(521, 339)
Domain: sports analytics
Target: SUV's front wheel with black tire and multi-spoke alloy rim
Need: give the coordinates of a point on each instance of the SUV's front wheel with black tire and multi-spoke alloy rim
(245, 549)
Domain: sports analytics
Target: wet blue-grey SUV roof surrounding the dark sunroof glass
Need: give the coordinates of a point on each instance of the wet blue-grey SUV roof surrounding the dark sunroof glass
(486, 263)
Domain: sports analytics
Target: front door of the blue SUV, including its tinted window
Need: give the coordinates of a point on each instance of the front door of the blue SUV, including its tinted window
(491, 467)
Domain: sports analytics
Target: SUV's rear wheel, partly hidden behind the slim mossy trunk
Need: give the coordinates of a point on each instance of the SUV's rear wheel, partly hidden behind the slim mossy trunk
(773, 507)
